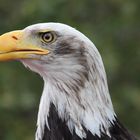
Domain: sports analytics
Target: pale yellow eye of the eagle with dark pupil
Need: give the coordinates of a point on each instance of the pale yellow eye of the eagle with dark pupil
(48, 37)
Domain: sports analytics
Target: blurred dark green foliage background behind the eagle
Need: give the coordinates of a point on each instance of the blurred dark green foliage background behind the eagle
(114, 27)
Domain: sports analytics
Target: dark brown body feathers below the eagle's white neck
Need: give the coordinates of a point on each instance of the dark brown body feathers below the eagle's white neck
(59, 130)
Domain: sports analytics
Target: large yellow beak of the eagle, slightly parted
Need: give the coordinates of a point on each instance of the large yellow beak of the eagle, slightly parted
(13, 46)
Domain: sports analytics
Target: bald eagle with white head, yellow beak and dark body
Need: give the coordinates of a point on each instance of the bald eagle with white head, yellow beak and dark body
(75, 103)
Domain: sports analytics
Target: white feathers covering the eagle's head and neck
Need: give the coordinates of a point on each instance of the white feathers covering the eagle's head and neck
(91, 106)
